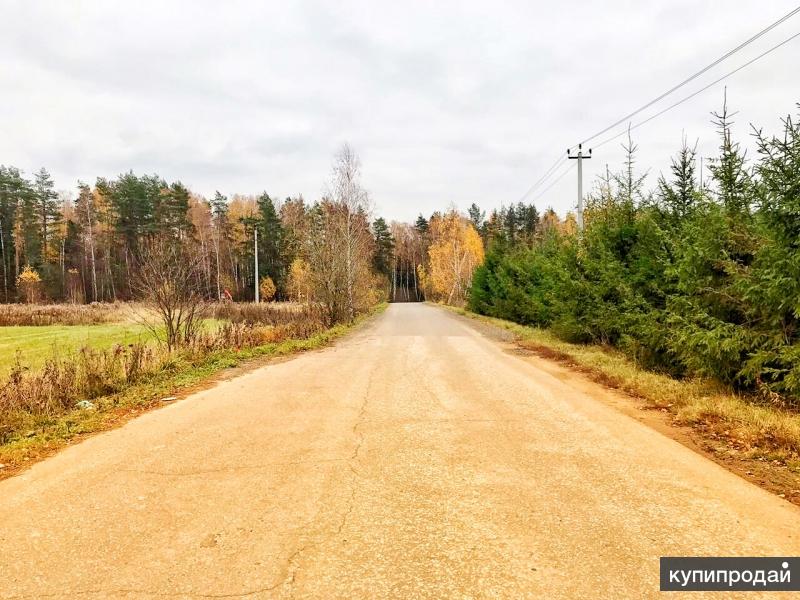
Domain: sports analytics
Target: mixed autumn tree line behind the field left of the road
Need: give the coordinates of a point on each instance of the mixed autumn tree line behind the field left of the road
(89, 249)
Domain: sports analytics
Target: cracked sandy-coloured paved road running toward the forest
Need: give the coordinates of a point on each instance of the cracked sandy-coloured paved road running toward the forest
(415, 459)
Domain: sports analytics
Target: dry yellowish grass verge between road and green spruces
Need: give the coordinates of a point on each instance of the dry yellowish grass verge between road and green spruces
(740, 427)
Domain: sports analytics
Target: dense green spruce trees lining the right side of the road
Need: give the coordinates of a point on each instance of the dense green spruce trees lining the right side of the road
(689, 279)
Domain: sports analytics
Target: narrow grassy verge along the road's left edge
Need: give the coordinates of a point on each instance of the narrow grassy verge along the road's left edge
(181, 377)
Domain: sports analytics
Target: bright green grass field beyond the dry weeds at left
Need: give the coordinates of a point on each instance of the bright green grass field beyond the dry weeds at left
(35, 344)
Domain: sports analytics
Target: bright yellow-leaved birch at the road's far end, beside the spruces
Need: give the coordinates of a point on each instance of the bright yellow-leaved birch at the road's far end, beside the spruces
(456, 250)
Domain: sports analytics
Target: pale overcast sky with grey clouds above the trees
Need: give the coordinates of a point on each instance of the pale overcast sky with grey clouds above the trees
(445, 102)
